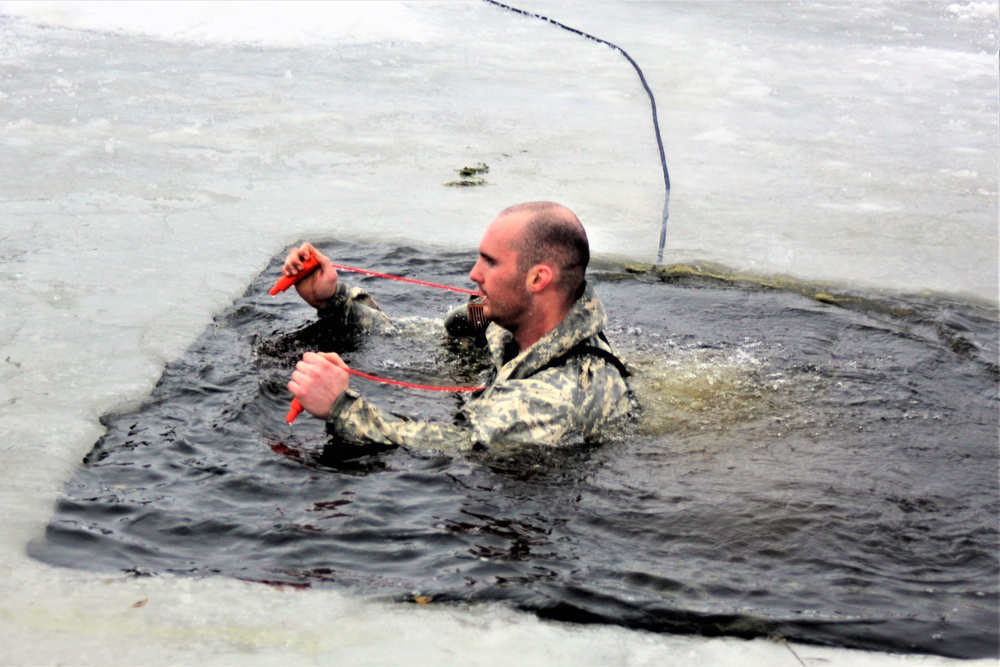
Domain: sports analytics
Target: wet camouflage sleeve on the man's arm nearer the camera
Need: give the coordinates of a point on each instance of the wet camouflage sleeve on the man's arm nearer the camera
(559, 406)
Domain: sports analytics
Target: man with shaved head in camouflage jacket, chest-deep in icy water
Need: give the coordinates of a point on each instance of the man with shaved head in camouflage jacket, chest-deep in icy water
(556, 379)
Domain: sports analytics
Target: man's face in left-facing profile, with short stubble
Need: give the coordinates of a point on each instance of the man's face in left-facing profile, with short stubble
(506, 299)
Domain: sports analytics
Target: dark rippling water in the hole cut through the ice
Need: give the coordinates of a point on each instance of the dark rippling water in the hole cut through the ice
(823, 470)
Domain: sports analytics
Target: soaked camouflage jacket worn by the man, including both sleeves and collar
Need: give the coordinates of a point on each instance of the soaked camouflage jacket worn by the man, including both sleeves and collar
(554, 393)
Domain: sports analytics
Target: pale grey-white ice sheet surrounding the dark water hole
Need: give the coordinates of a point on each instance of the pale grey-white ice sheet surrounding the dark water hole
(154, 157)
